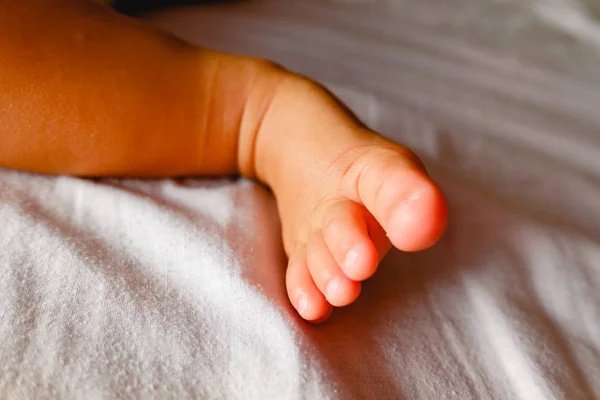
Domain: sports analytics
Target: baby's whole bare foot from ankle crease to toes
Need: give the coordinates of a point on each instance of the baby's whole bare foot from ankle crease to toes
(345, 196)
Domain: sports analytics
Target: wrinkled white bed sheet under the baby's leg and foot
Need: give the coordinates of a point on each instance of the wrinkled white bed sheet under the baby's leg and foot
(174, 289)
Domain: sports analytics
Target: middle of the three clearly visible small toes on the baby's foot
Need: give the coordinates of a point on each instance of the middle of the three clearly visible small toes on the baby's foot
(337, 288)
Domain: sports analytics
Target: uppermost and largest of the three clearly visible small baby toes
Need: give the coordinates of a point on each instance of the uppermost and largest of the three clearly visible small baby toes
(346, 233)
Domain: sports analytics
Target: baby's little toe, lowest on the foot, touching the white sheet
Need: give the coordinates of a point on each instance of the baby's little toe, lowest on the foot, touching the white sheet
(304, 295)
